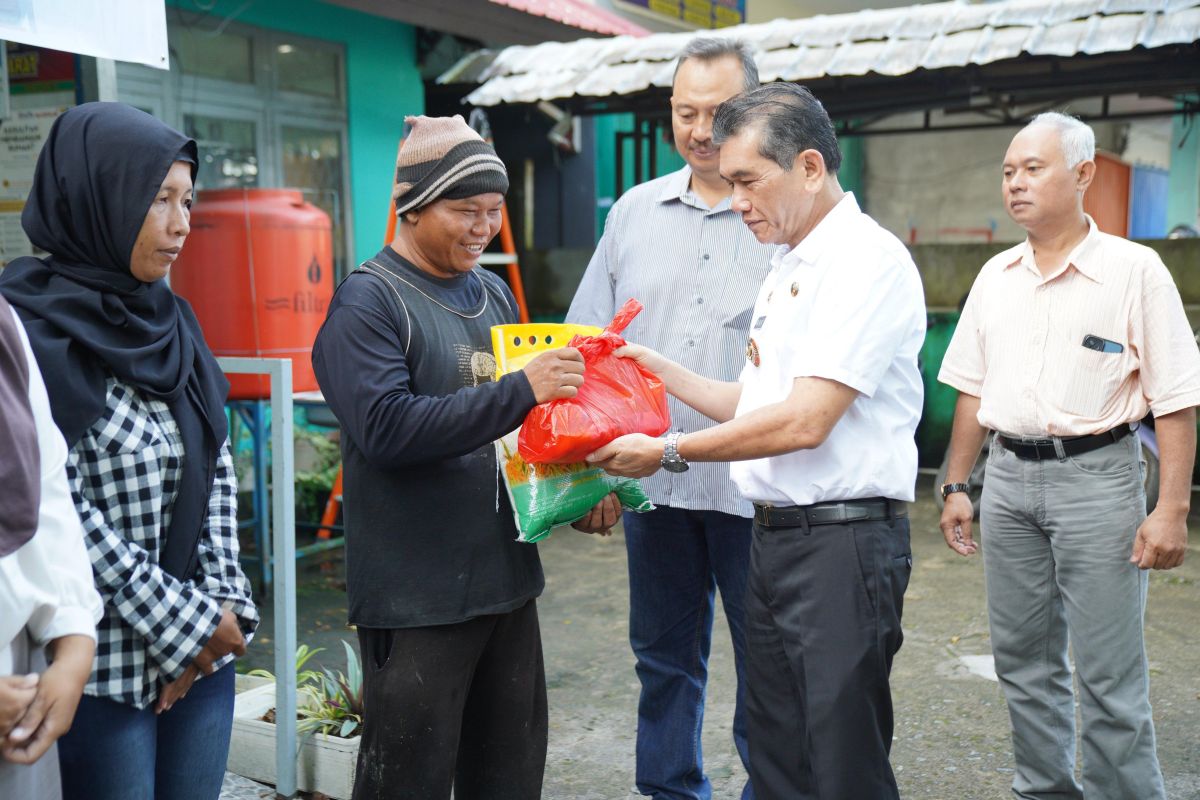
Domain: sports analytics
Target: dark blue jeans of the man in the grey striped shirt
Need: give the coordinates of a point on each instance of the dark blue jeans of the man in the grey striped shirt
(676, 561)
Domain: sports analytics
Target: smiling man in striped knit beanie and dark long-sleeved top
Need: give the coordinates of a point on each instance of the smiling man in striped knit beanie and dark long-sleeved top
(443, 596)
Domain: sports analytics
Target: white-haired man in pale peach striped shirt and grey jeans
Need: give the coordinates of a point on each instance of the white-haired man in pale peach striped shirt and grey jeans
(1065, 342)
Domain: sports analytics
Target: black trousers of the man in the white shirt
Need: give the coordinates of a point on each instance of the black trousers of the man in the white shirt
(823, 625)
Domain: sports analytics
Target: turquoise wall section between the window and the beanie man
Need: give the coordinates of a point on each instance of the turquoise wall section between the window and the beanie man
(383, 87)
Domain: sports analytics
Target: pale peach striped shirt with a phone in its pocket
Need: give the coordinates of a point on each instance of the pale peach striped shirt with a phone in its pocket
(1019, 345)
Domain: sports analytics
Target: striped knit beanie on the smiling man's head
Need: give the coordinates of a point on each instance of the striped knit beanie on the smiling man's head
(443, 158)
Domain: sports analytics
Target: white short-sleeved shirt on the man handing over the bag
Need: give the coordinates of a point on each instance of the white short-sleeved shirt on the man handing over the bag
(845, 305)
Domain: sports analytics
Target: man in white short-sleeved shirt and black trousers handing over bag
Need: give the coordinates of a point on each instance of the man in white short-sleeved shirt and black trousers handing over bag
(820, 428)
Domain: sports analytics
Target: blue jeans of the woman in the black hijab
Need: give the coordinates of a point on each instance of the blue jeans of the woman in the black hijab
(118, 753)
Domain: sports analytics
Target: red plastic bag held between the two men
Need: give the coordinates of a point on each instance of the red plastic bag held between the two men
(619, 396)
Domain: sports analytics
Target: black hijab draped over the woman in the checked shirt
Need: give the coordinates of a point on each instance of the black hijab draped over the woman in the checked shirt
(87, 315)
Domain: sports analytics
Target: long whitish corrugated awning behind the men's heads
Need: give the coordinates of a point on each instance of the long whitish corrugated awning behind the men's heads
(986, 59)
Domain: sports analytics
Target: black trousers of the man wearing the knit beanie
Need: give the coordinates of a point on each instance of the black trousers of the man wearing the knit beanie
(461, 706)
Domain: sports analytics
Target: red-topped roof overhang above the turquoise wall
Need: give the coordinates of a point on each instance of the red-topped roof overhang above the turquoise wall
(503, 22)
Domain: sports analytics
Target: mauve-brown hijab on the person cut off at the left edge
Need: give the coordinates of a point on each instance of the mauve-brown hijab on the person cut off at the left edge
(21, 472)
